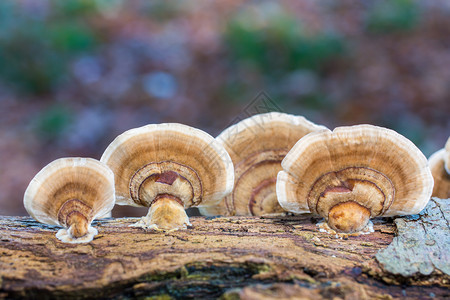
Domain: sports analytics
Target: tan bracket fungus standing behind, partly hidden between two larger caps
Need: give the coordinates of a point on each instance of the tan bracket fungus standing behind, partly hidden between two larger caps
(257, 145)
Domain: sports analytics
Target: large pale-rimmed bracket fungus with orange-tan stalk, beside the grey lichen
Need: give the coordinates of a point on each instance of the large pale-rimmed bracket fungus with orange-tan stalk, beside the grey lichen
(352, 174)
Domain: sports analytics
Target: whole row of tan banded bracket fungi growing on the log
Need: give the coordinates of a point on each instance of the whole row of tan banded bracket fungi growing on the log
(265, 164)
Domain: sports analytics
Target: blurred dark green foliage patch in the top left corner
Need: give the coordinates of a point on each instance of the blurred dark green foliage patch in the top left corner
(35, 52)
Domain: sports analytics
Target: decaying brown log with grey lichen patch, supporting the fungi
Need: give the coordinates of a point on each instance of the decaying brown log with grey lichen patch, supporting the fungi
(232, 257)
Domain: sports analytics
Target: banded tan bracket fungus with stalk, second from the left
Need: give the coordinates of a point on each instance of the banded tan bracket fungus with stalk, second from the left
(168, 167)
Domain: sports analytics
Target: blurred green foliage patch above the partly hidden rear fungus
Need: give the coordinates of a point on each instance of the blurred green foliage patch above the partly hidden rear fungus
(276, 43)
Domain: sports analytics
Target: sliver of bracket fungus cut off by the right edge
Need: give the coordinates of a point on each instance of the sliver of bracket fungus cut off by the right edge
(440, 168)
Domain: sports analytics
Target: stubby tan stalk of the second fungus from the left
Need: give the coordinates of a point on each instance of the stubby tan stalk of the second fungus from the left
(166, 212)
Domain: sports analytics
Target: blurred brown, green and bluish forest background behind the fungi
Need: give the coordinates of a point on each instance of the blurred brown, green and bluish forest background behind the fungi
(75, 74)
